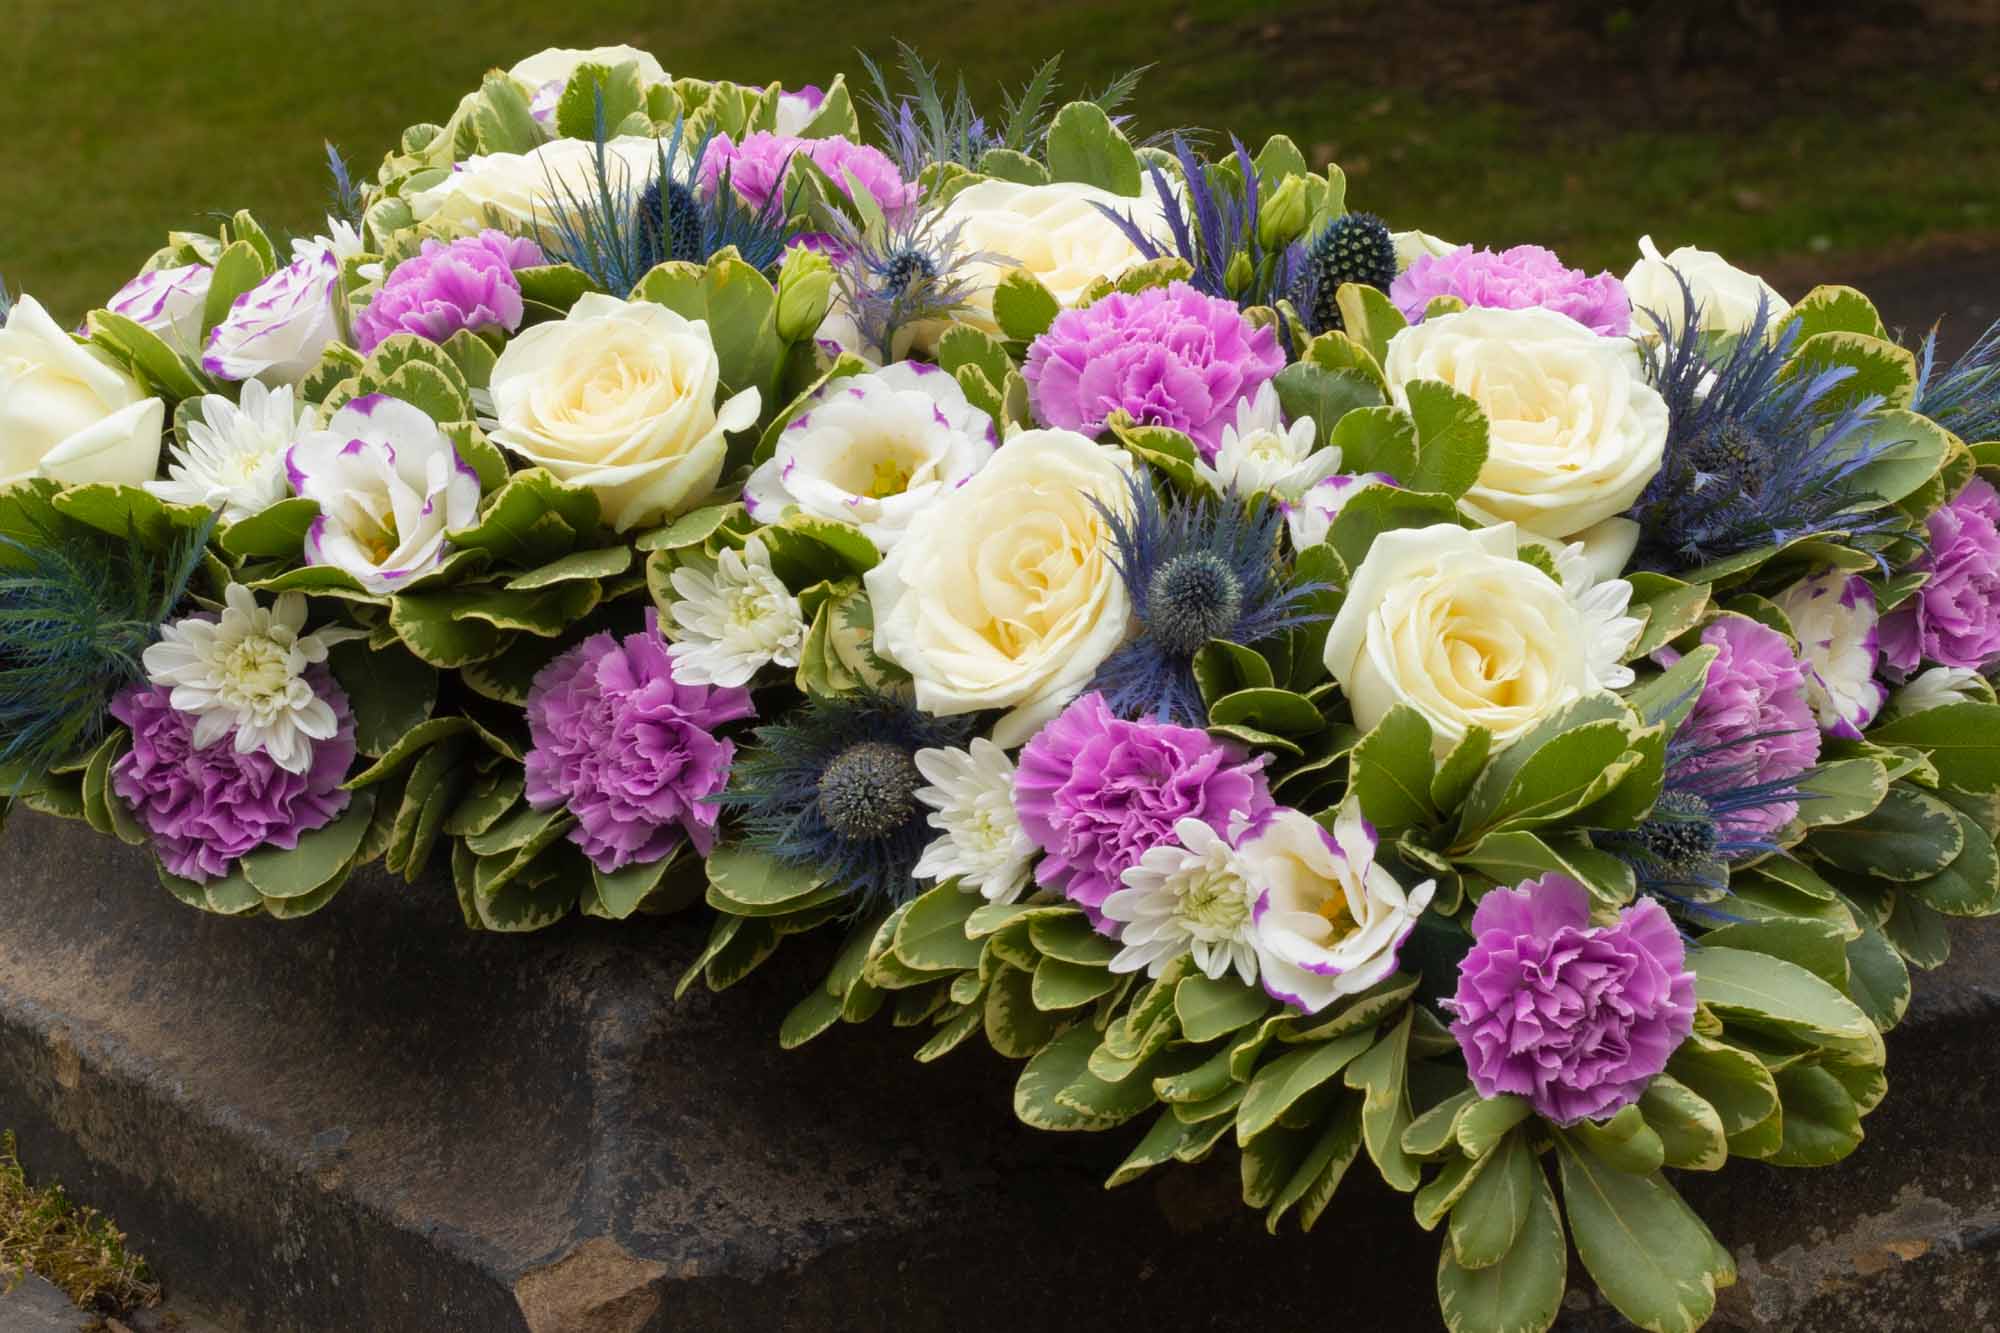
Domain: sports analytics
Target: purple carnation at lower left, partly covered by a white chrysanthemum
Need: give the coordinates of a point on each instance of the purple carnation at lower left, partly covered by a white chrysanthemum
(207, 808)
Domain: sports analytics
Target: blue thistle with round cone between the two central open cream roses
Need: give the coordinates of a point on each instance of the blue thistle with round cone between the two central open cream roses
(1203, 569)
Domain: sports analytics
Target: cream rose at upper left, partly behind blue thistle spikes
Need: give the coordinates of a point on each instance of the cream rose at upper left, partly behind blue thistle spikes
(523, 191)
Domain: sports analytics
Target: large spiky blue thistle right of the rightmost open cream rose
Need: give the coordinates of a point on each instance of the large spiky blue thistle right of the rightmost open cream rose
(1753, 457)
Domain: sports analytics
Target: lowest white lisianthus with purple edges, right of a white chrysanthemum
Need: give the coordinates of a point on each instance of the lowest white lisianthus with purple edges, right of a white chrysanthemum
(1329, 920)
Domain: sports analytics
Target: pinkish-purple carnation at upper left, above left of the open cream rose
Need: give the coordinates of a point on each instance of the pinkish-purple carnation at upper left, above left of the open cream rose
(447, 287)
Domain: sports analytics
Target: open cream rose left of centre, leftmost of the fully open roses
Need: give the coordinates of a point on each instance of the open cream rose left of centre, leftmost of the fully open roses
(621, 397)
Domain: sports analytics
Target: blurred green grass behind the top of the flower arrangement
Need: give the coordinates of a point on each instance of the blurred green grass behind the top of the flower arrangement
(153, 115)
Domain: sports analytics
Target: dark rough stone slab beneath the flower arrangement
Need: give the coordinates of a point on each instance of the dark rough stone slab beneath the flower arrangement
(377, 1120)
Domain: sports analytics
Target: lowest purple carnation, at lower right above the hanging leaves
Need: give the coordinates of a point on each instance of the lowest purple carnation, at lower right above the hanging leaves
(1575, 1018)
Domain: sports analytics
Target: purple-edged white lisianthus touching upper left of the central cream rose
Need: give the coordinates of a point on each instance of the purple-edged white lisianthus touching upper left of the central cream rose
(873, 451)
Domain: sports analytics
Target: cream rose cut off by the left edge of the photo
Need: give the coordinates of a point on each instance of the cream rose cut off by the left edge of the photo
(67, 411)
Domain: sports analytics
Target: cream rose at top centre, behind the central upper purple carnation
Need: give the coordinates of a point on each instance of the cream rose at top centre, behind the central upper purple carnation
(1057, 233)
